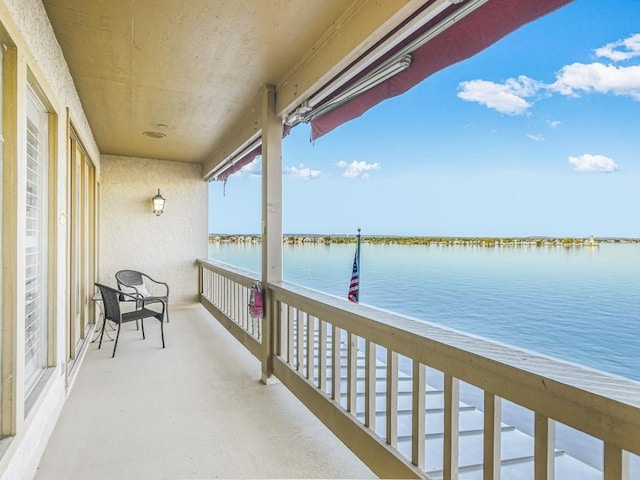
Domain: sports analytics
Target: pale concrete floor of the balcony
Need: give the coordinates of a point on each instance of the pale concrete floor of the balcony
(193, 410)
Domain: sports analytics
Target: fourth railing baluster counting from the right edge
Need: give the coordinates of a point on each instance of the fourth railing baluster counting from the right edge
(451, 422)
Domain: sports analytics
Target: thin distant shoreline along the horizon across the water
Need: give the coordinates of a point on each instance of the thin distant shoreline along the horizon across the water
(301, 239)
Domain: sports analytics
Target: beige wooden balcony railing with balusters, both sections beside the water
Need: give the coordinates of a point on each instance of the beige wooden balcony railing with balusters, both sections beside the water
(363, 372)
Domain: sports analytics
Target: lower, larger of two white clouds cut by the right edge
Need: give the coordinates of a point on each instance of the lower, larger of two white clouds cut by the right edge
(600, 78)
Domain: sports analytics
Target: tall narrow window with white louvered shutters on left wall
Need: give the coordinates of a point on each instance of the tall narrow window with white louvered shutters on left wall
(36, 241)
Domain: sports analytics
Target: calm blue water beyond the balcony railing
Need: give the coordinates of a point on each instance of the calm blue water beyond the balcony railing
(579, 304)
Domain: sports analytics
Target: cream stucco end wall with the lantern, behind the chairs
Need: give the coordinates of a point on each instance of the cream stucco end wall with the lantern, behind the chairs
(133, 237)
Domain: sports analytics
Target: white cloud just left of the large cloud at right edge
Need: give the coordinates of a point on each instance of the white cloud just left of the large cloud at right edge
(508, 97)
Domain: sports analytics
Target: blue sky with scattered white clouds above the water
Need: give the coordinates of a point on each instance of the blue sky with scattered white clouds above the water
(537, 135)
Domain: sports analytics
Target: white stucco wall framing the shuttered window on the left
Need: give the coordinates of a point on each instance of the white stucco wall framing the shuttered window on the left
(27, 24)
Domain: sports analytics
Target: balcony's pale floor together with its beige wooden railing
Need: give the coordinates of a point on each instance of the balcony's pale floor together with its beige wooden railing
(152, 413)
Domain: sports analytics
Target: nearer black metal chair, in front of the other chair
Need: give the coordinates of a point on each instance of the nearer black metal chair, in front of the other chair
(111, 302)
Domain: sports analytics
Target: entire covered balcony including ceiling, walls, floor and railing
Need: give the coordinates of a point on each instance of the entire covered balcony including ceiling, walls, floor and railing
(361, 392)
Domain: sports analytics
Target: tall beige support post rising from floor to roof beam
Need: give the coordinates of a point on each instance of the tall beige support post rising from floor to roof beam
(271, 220)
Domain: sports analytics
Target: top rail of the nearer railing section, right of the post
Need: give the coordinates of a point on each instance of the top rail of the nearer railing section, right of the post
(602, 404)
